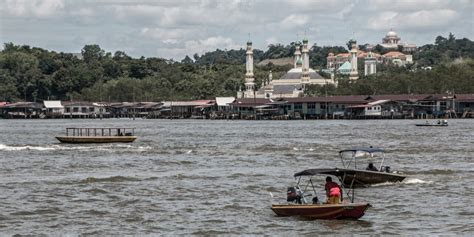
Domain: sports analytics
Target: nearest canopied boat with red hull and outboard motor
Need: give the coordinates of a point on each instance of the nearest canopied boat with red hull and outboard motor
(299, 206)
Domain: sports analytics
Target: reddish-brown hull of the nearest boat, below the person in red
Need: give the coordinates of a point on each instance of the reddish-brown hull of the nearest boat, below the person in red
(322, 211)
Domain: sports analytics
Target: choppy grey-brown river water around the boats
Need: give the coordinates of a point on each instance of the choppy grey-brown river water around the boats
(203, 177)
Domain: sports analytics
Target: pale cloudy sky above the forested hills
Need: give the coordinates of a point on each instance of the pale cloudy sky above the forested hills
(172, 29)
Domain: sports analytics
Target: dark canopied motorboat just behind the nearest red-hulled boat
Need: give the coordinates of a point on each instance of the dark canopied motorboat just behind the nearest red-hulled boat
(376, 172)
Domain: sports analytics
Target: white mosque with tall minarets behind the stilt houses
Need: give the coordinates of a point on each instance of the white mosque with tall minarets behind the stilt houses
(291, 84)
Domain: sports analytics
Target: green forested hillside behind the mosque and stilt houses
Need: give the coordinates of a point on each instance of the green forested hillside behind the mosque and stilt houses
(36, 74)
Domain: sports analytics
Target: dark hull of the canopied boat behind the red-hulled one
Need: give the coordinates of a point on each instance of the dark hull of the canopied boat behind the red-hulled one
(363, 178)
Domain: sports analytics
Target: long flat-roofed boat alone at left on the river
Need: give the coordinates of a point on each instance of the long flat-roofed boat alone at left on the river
(98, 135)
